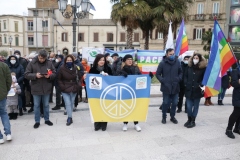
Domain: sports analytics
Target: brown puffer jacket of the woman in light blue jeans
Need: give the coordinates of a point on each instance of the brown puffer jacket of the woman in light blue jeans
(67, 79)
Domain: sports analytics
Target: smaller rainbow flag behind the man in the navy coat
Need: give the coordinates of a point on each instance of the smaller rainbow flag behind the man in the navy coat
(182, 41)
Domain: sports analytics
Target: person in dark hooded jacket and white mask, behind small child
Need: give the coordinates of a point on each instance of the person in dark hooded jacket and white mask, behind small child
(17, 68)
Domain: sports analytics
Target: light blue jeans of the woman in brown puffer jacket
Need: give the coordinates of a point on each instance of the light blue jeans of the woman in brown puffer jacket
(69, 99)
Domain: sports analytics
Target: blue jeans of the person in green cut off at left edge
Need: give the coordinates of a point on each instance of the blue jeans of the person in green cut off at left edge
(5, 118)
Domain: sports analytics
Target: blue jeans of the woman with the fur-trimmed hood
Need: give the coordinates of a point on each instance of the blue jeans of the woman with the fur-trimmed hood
(193, 106)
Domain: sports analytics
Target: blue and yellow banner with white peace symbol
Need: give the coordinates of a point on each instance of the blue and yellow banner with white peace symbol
(118, 99)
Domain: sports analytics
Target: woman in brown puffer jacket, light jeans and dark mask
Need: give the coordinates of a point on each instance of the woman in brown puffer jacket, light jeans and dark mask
(69, 80)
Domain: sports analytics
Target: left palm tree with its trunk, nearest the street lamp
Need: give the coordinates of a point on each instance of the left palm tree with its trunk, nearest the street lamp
(128, 13)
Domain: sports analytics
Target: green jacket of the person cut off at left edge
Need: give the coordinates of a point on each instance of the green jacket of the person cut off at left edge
(5, 80)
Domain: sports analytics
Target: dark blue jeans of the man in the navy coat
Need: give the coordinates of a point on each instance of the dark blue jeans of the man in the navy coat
(167, 100)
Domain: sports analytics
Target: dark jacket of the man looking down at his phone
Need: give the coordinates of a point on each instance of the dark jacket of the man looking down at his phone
(40, 86)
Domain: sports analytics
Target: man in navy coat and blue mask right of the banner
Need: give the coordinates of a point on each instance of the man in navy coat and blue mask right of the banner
(169, 74)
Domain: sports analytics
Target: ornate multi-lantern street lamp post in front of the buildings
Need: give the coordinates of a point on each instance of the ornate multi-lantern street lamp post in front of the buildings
(75, 4)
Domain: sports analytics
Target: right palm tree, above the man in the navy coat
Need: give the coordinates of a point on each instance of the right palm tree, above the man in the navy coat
(170, 10)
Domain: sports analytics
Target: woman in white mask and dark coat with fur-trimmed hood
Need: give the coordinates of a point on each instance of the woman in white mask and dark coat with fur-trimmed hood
(193, 82)
